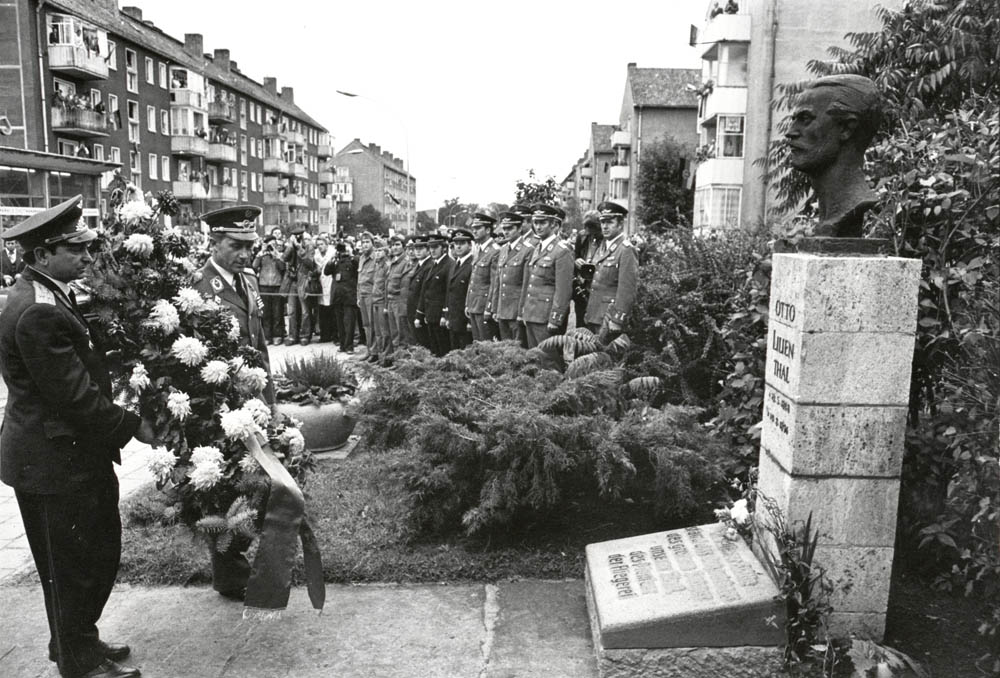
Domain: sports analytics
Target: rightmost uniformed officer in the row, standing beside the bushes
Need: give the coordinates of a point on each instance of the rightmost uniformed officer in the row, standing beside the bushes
(613, 290)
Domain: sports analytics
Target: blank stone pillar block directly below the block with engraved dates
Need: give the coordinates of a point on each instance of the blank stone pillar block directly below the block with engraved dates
(855, 511)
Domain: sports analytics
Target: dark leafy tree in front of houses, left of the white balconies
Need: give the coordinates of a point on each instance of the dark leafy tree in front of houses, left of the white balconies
(664, 199)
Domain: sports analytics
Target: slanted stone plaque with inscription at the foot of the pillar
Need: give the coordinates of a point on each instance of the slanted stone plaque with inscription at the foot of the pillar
(692, 587)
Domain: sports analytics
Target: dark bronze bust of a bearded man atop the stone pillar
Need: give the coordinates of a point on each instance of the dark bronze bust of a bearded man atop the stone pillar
(833, 123)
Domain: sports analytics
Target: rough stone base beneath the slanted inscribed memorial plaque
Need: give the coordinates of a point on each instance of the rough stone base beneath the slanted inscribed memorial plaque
(683, 662)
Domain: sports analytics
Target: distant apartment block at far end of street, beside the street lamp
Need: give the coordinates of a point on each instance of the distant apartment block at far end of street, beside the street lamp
(380, 179)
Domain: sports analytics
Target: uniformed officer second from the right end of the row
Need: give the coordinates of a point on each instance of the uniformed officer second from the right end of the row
(548, 278)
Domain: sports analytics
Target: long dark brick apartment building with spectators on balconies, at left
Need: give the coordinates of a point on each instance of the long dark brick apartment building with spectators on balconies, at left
(109, 87)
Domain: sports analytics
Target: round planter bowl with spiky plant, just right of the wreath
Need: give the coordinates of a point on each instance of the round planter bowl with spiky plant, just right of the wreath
(317, 391)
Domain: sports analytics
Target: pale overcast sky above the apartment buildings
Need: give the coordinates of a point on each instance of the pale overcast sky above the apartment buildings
(484, 90)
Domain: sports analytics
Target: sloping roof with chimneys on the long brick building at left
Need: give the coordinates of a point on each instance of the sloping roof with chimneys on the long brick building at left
(156, 40)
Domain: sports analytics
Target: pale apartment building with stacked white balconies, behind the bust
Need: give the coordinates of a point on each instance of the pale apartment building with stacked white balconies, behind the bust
(746, 53)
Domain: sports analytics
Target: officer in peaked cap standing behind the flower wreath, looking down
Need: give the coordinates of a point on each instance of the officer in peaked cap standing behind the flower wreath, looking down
(227, 278)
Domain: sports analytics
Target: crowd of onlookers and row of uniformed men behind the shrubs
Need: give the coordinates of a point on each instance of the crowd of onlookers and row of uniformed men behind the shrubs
(511, 276)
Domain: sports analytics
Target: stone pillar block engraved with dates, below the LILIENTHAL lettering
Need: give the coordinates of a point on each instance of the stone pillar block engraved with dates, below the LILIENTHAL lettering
(821, 440)
